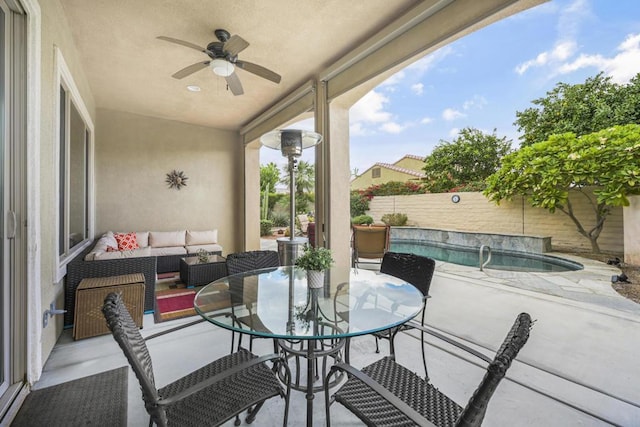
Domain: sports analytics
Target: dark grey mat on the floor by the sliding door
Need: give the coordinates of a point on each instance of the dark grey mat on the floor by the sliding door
(96, 400)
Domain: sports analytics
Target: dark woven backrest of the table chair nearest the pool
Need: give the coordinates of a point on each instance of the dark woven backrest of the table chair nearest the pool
(415, 269)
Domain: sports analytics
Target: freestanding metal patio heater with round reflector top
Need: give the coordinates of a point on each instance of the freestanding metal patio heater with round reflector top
(290, 142)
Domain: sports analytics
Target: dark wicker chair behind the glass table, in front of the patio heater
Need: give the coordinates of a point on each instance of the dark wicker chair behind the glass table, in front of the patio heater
(241, 262)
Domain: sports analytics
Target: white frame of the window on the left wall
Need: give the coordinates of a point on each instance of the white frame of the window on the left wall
(64, 79)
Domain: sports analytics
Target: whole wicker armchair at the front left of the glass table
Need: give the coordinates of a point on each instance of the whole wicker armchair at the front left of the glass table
(208, 396)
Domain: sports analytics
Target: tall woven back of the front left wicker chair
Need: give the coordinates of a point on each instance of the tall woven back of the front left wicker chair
(127, 335)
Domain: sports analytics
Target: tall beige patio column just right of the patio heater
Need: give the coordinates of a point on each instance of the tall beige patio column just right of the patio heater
(332, 176)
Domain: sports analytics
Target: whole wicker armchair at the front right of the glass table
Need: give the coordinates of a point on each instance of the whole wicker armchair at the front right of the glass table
(386, 393)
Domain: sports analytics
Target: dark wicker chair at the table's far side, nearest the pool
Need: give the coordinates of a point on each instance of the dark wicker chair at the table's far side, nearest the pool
(417, 270)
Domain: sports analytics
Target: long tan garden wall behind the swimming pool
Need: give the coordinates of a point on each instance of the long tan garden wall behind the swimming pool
(475, 213)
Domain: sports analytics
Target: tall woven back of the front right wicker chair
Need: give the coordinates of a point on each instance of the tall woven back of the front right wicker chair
(473, 413)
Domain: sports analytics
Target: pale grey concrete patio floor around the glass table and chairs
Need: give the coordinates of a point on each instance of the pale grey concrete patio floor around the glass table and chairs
(580, 366)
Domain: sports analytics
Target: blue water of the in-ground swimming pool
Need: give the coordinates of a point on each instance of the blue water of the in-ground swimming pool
(500, 260)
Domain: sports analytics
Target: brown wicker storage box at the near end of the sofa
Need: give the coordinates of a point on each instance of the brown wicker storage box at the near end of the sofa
(90, 293)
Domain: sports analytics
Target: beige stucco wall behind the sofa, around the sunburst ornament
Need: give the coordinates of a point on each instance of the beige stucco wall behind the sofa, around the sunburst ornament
(133, 155)
